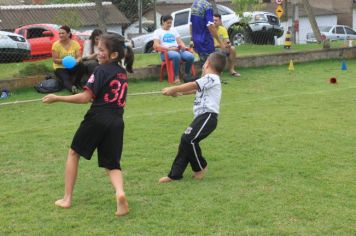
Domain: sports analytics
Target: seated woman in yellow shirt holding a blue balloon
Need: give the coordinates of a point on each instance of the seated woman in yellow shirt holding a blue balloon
(63, 47)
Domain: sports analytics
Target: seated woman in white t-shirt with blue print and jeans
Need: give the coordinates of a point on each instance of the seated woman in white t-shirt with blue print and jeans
(167, 38)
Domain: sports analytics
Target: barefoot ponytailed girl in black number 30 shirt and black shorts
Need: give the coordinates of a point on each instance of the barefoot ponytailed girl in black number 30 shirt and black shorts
(103, 125)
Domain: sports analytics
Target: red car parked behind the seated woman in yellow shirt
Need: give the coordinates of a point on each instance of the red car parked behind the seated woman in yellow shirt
(42, 36)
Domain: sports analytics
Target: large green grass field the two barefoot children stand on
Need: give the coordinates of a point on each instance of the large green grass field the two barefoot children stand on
(281, 162)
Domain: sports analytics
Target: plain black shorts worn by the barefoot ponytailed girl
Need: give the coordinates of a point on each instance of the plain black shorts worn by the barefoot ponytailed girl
(103, 131)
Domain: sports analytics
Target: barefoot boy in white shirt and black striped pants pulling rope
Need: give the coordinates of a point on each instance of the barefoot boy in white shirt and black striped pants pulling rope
(207, 91)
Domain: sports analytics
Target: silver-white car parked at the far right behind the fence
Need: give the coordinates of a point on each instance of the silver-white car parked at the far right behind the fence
(333, 33)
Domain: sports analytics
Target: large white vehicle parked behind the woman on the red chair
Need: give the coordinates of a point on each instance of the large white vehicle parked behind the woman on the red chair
(260, 27)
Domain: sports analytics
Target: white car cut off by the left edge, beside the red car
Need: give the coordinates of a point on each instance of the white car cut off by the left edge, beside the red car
(13, 47)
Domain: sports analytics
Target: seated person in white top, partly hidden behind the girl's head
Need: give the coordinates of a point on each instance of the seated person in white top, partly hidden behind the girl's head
(90, 50)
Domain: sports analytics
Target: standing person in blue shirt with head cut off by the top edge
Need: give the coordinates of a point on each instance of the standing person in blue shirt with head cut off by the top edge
(202, 29)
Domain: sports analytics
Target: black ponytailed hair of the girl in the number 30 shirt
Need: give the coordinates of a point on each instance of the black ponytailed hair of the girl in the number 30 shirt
(116, 43)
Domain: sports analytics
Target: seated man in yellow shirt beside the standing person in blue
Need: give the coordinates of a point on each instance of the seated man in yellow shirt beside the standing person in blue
(229, 50)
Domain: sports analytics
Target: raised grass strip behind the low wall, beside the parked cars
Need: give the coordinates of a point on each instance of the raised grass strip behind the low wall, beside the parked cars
(11, 70)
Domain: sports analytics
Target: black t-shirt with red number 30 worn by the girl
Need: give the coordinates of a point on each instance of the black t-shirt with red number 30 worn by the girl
(108, 85)
